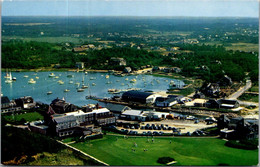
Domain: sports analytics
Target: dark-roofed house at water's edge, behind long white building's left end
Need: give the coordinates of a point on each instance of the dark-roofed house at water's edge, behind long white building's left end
(61, 106)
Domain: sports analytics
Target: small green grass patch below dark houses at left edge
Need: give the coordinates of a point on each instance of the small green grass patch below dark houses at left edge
(32, 116)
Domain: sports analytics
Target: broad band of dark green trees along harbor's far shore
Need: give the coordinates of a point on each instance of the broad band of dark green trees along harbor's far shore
(207, 62)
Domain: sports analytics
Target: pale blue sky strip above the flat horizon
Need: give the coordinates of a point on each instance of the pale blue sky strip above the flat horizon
(197, 8)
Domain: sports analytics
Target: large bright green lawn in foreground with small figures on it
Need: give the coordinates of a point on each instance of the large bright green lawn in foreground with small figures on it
(186, 151)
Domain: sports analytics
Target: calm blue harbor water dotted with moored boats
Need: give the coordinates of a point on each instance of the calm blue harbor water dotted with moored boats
(65, 84)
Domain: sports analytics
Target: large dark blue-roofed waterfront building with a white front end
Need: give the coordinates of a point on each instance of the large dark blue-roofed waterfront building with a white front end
(139, 96)
